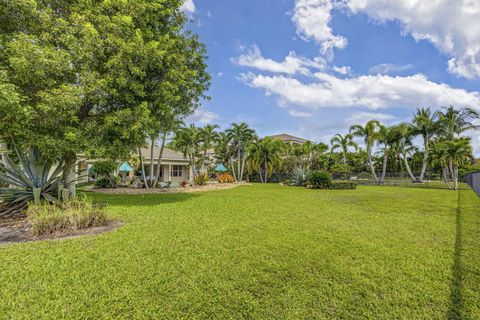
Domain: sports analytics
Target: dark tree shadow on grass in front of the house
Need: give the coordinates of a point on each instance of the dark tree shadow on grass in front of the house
(112, 200)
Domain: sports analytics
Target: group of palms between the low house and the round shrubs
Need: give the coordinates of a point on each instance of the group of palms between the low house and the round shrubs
(242, 151)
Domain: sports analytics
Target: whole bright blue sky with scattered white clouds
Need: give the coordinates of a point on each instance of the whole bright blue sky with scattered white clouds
(314, 67)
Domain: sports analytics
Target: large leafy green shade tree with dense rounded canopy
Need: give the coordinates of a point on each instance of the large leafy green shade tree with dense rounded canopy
(96, 76)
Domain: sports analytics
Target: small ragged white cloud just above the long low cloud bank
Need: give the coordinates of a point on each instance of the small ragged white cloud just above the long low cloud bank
(291, 65)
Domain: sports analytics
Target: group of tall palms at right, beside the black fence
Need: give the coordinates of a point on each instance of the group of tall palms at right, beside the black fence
(442, 143)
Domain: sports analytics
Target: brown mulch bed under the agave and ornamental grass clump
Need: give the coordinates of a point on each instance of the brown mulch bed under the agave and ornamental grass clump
(18, 229)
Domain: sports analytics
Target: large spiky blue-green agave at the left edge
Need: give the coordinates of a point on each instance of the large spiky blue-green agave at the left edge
(32, 179)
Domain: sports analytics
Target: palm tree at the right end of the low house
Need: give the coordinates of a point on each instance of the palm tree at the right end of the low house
(186, 140)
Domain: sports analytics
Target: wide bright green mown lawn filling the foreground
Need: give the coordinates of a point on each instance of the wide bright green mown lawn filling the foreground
(264, 252)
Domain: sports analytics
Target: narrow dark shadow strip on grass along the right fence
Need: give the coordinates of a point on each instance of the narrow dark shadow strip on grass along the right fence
(456, 287)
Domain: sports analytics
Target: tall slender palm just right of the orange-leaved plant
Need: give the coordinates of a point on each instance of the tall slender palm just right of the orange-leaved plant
(240, 136)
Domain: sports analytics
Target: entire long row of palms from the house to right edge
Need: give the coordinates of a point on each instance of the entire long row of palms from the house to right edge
(384, 149)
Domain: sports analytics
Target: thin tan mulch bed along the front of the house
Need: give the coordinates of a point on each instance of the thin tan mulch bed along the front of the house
(208, 187)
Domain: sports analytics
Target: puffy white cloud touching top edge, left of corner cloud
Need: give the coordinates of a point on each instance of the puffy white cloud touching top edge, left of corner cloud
(312, 19)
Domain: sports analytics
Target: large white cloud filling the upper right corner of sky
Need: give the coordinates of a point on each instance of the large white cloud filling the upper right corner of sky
(451, 26)
